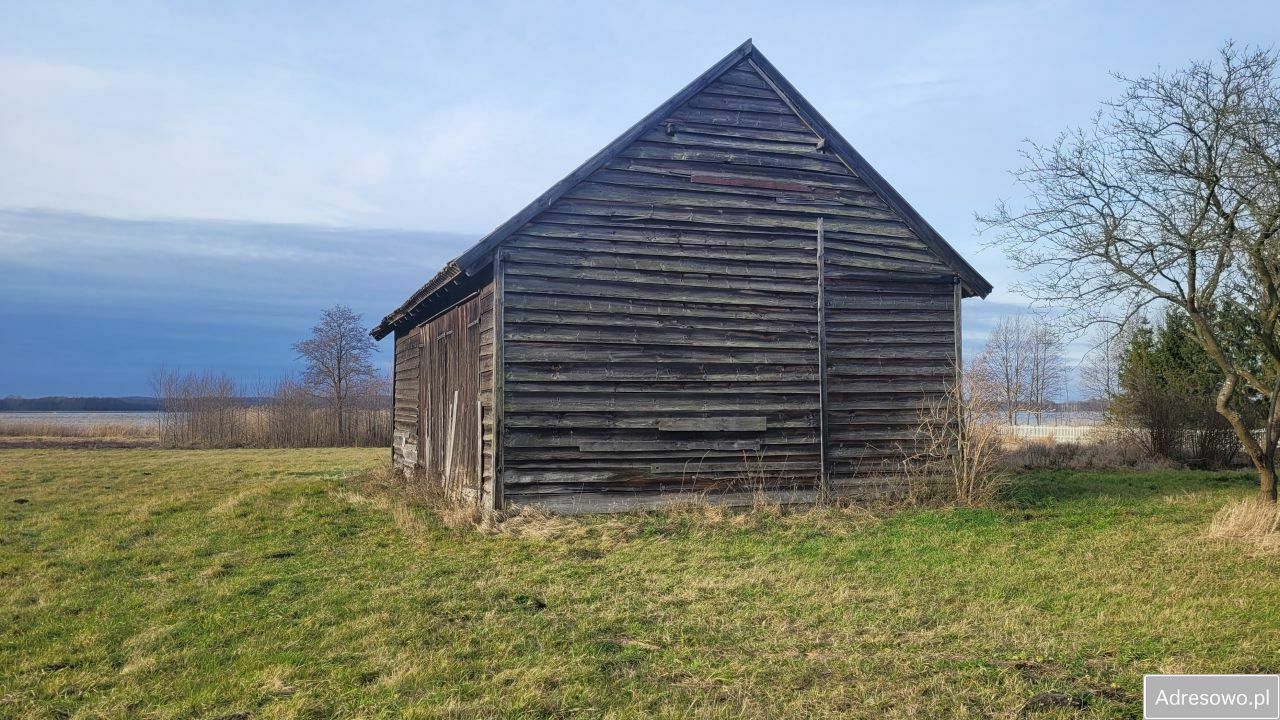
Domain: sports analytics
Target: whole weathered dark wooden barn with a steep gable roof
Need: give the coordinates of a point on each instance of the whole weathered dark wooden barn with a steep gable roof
(725, 299)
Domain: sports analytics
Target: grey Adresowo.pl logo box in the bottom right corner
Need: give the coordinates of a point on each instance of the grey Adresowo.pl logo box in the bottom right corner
(1212, 698)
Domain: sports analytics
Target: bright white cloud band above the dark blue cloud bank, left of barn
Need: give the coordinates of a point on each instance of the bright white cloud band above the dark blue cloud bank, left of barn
(129, 145)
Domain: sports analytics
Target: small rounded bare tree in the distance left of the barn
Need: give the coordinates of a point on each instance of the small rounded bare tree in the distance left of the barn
(339, 359)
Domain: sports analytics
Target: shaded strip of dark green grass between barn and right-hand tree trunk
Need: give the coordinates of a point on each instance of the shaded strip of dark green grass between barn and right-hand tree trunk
(1043, 489)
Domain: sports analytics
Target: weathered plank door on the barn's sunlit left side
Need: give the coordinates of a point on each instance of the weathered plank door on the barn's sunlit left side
(450, 441)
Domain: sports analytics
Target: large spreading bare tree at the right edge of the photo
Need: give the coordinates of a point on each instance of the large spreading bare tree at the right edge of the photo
(1172, 194)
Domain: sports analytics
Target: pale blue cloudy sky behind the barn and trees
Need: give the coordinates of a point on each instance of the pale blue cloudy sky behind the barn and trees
(188, 185)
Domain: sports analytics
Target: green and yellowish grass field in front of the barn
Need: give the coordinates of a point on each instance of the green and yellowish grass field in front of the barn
(141, 584)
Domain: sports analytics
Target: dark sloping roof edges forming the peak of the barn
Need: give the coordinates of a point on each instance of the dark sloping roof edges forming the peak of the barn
(481, 256)
